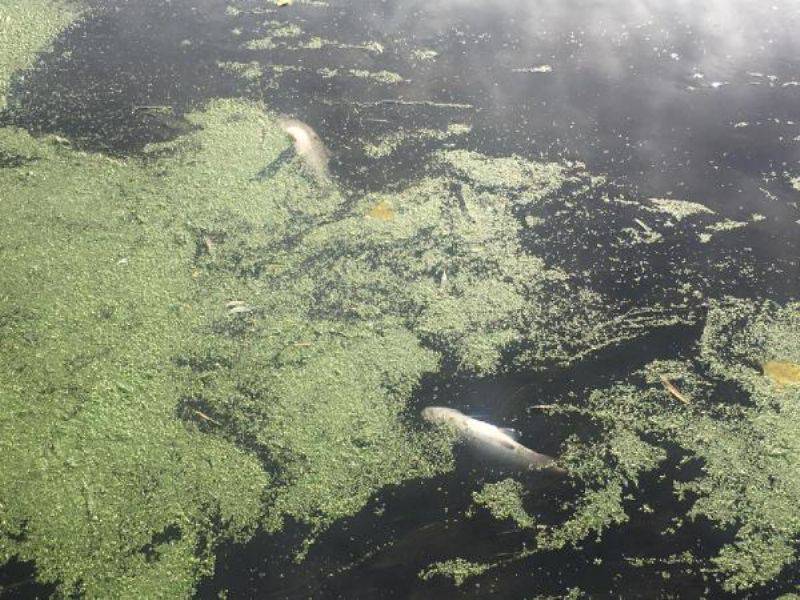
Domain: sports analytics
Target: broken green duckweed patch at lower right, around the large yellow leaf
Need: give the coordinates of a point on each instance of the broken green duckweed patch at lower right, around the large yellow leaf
(747, 449)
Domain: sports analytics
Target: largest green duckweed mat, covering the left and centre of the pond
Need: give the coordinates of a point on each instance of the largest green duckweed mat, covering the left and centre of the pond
(310, 385)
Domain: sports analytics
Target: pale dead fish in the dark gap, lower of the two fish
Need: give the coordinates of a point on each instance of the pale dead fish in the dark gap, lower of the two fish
(489, 438)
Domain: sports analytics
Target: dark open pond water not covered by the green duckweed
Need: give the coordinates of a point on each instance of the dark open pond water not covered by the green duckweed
(695, 101)
